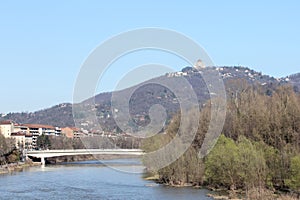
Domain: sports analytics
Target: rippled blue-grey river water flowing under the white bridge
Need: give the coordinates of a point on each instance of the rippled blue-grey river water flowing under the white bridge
(107, 180)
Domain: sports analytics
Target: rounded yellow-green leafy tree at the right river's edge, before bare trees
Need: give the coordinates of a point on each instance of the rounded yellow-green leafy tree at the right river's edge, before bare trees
(236, 165)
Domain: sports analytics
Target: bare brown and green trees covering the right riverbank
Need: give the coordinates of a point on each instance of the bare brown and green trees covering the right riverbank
(257, 155)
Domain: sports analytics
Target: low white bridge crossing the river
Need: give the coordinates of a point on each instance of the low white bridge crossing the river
(74, 152)
